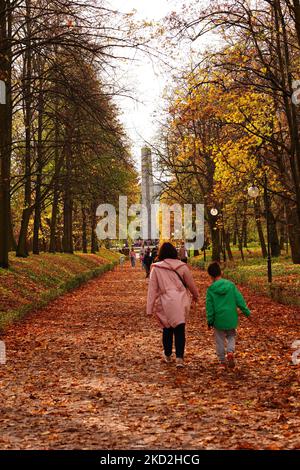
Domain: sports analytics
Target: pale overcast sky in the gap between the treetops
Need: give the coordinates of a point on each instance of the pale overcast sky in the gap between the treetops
(146, 76)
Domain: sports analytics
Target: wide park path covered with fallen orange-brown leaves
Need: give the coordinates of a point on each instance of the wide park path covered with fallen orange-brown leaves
(86, 373)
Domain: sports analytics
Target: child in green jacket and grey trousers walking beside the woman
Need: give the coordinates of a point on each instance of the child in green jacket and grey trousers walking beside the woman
(222, 300)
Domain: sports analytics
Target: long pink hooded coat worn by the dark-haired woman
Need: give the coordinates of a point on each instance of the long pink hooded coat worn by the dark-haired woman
(167, 296)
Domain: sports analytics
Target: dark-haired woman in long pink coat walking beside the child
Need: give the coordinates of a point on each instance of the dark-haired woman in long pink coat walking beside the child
(169, 297)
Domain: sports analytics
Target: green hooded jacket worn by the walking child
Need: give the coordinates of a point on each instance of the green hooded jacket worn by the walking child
(222, 300)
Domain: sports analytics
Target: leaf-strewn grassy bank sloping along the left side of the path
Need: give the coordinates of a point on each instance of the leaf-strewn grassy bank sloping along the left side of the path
(33, 282)
